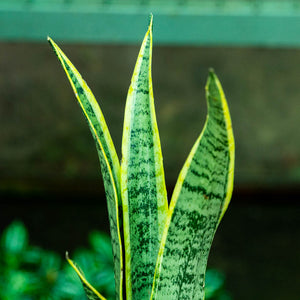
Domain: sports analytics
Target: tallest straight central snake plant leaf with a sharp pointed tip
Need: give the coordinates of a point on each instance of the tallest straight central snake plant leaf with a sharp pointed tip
(143, 188)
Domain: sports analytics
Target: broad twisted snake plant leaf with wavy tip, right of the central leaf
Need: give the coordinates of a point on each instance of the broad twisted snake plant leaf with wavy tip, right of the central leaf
(199, 201)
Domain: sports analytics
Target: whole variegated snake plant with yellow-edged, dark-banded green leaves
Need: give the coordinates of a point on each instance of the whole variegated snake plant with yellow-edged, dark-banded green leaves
(160, 250)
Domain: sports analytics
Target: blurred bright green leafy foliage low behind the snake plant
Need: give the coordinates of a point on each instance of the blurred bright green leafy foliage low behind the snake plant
(30, 273)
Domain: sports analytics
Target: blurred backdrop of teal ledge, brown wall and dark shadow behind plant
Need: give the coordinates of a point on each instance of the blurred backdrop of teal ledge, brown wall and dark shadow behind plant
(49, 172)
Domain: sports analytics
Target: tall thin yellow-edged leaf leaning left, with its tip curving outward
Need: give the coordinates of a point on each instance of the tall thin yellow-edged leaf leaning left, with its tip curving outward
(109, 162)
